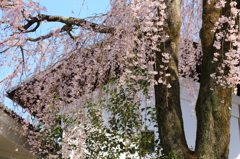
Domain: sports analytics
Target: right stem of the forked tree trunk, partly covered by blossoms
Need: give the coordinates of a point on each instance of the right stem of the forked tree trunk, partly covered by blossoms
(214, 101)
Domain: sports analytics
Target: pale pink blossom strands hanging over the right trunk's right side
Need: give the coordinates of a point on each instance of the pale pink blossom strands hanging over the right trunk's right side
(227, 36)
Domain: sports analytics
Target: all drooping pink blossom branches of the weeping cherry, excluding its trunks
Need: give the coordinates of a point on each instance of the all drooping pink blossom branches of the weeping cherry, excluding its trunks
(71, 92)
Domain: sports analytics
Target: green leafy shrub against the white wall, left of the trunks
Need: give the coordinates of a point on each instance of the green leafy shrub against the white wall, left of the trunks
(118, 119)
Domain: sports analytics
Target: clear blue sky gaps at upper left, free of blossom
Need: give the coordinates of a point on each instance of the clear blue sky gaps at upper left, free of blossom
(68, 8)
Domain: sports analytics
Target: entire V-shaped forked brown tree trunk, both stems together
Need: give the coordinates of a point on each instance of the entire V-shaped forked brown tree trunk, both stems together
(214, 102)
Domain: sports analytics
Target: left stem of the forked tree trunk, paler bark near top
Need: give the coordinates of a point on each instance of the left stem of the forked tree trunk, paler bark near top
(169, 115)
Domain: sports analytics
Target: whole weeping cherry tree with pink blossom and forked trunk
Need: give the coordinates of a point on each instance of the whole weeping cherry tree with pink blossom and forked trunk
(86, 81)
